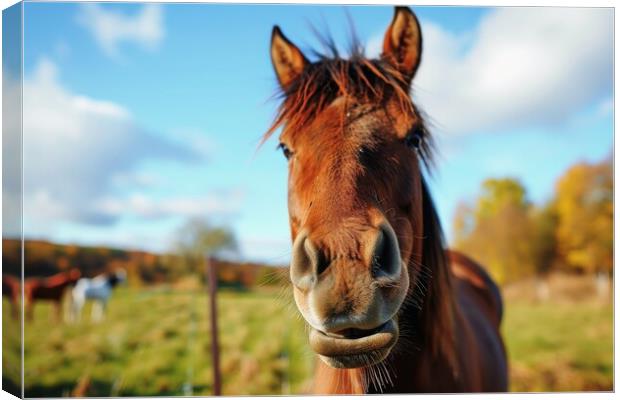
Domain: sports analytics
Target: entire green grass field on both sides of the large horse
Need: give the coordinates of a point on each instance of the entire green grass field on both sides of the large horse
(156, 341)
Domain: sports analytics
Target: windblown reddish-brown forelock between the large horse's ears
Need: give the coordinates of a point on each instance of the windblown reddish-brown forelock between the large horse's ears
(330, 77)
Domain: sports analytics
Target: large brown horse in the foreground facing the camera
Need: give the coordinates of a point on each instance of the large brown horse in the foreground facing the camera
(389, 309)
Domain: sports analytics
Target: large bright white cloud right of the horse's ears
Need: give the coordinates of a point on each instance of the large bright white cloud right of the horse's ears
(520, 67)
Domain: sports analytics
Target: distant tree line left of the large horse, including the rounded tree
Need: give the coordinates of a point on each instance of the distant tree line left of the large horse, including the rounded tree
(196, 239)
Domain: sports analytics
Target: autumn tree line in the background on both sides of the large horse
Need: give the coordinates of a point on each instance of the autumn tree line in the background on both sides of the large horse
(502, 229)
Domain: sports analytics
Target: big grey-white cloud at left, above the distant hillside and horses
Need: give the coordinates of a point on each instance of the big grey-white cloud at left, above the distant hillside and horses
(75, 150)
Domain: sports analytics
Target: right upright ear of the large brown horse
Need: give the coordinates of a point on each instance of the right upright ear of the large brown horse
(402, 44)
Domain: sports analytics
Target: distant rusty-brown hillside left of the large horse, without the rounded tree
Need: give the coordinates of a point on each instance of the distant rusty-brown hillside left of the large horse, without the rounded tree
(44, 258)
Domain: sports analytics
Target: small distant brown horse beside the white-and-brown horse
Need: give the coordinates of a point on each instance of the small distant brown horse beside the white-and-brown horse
(51, 288)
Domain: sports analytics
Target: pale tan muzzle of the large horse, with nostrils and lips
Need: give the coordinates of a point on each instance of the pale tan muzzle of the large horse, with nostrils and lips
(350, 303)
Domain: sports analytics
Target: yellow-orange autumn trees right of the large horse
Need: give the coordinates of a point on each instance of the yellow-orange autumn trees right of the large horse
(515, 238)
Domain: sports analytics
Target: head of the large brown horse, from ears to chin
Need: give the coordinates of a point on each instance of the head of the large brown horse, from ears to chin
(355, 144)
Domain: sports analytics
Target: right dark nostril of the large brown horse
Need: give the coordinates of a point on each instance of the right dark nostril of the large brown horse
(386, 254)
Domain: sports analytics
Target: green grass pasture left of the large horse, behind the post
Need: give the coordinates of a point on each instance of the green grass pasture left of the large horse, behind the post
(156, 341)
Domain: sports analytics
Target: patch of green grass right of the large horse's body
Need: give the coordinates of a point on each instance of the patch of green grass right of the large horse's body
(560, 347)
